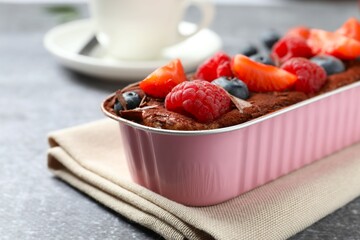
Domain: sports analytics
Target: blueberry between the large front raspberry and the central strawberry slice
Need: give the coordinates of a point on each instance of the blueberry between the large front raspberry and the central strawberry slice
(233, 86)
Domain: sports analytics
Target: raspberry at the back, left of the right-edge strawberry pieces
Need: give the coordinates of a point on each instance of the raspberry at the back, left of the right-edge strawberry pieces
(289, 47)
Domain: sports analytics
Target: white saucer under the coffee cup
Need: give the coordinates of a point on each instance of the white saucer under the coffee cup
(65, 41)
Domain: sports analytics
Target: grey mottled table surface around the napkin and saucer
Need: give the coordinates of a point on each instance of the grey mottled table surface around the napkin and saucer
(37, 95)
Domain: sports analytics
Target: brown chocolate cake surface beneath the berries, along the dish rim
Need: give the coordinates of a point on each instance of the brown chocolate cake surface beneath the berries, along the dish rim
(152, 112)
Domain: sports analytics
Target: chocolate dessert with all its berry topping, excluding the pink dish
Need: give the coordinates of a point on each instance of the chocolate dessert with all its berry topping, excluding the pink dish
(229, 90)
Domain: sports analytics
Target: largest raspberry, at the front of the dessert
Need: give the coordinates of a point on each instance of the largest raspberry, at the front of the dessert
(198, 99)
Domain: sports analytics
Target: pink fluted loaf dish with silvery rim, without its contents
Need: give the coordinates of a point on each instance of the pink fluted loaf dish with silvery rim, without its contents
(201, 168)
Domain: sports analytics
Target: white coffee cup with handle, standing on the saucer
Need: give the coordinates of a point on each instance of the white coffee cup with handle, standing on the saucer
(141, 29)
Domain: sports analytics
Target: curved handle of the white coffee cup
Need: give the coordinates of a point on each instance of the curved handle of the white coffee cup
(207, 10)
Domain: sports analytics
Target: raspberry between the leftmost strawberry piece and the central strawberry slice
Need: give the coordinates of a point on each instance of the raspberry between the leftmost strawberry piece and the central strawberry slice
(215, 67)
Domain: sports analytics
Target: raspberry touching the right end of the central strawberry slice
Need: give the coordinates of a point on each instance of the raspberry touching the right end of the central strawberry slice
(310, 76)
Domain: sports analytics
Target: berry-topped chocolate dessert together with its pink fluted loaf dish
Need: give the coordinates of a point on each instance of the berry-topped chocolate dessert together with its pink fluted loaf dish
(202, 168)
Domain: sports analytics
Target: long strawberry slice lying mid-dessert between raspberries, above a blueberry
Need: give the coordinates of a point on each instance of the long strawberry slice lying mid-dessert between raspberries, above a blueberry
(260, 77)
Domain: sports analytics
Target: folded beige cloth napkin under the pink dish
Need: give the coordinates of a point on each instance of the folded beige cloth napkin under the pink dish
(90, 158)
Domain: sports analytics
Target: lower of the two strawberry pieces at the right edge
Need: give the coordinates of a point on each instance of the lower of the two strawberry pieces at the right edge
(335, 44)
